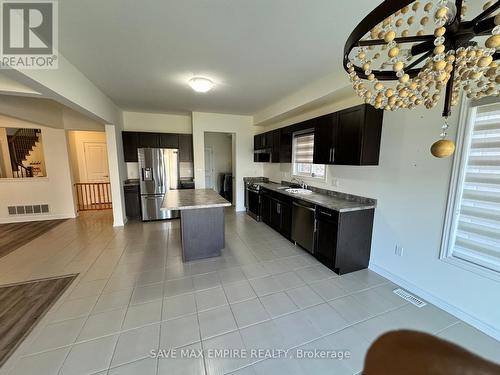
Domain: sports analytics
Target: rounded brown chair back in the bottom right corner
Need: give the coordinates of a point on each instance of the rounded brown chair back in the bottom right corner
(417, 353)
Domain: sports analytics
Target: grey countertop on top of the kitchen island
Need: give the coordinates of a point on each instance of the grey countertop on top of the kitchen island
(193, 199)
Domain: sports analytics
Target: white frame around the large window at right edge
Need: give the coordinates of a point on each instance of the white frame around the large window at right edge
(465, 128)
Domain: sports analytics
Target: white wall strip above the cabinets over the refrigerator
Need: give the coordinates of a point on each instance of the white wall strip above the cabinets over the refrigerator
(157, 122)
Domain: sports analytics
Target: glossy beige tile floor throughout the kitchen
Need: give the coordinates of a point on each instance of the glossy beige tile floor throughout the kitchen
(134, 294)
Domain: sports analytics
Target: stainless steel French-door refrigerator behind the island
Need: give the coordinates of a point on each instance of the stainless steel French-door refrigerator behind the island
(158, 173)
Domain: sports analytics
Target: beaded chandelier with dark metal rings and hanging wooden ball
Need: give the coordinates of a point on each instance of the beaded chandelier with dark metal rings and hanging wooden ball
(425, 49)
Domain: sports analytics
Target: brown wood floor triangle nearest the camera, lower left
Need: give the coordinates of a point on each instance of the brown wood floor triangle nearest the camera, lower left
(22, 306)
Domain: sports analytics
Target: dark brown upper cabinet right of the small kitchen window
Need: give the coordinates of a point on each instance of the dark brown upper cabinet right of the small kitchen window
(349, 137)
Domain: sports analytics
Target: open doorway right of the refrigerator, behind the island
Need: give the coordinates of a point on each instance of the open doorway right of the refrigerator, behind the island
(219, 163)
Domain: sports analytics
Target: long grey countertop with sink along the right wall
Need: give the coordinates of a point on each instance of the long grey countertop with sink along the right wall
(338, 202)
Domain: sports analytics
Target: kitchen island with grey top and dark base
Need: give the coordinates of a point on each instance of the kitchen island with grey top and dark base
(202, 221)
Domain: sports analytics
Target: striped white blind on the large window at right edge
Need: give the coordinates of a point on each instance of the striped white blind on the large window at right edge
(475, 233)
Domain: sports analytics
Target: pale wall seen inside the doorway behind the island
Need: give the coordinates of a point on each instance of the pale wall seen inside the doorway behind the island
(221, 144)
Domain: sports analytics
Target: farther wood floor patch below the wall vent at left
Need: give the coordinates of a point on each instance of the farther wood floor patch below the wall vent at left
(15, 235)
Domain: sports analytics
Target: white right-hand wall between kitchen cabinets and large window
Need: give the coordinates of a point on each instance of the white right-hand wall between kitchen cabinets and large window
(411, 187)
